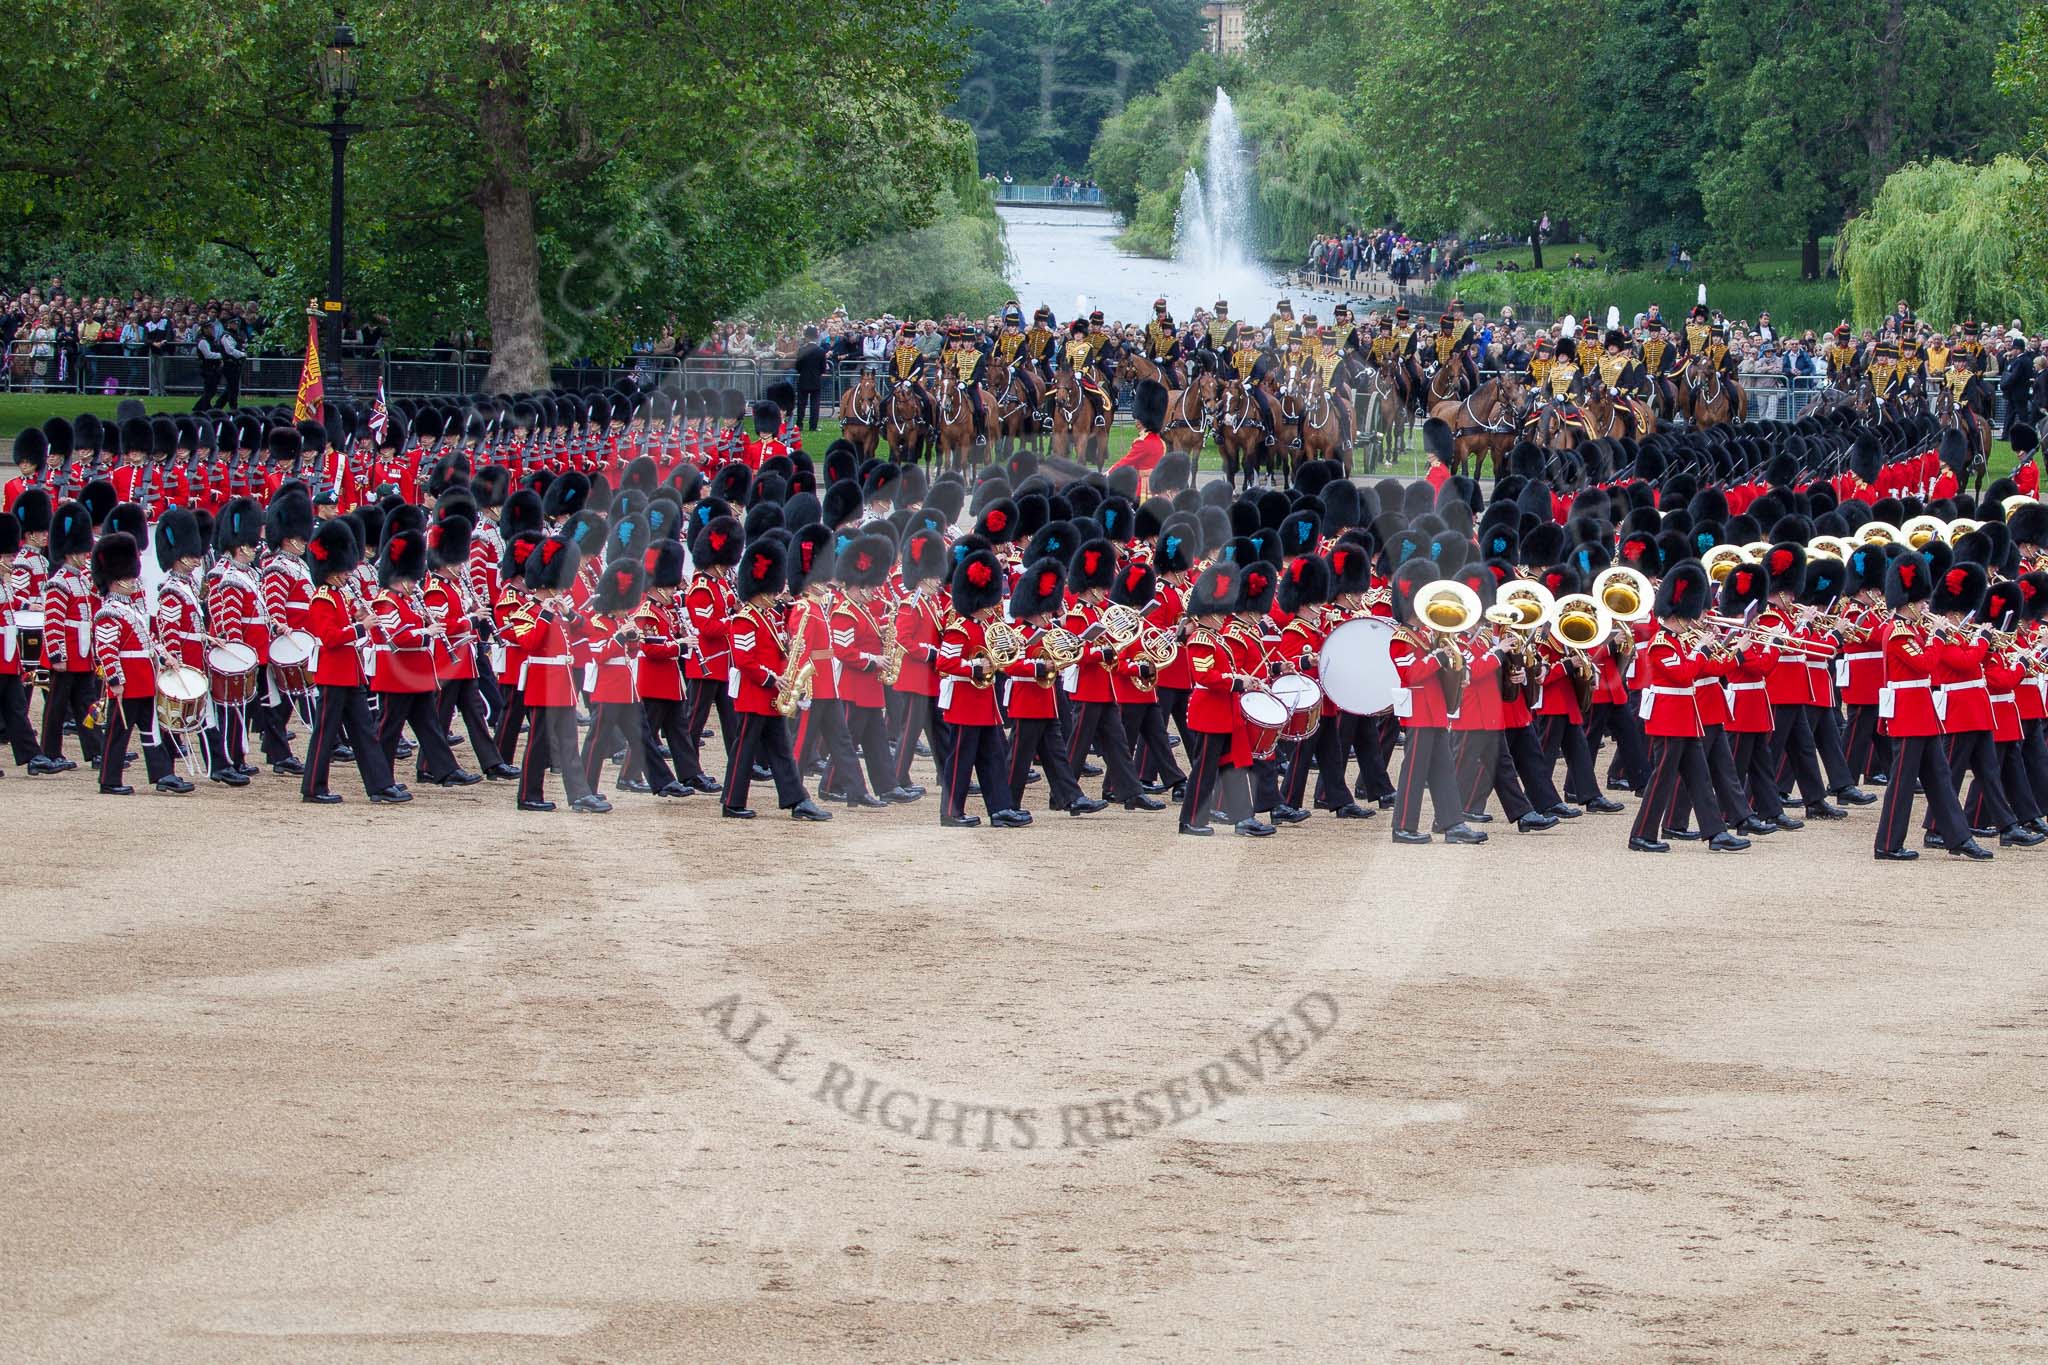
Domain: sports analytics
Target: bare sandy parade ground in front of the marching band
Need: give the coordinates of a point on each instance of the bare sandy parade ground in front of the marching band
(456, 1084)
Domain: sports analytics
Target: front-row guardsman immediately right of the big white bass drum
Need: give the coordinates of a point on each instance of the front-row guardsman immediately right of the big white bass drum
(1428, 668)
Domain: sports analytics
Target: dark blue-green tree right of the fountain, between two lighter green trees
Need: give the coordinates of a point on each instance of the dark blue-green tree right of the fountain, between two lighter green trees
(1641, 136)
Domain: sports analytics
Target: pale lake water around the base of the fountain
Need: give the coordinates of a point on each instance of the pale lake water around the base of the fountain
(1068, 259)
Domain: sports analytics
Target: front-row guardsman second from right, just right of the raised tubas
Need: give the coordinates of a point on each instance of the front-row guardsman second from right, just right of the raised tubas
(1672, 670)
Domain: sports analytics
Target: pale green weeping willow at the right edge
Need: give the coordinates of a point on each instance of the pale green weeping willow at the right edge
(1951, 240)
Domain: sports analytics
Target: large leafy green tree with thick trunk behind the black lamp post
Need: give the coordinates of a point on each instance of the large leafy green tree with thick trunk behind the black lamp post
(570, 171)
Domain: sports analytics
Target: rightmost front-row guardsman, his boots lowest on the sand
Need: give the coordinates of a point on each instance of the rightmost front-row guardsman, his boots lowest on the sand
(1914, 646)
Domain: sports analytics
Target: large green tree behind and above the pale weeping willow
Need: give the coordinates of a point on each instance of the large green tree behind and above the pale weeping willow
(1814, 103)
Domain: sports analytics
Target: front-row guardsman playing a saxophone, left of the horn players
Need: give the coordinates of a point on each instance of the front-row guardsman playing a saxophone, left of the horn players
(763, 660)
